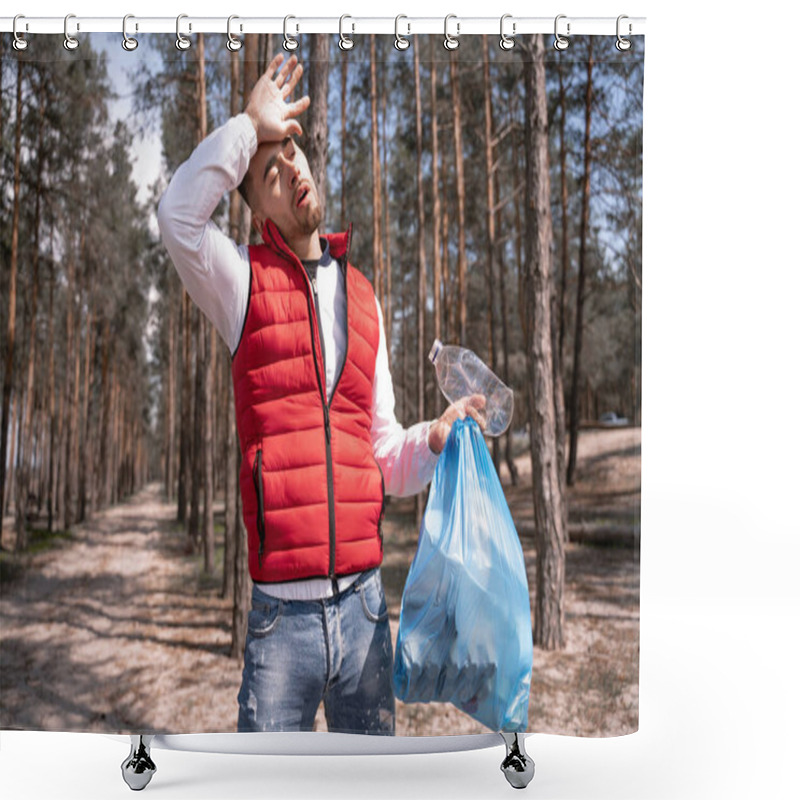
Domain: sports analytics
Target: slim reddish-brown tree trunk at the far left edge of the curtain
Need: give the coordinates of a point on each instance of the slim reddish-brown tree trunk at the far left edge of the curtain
(8, 374)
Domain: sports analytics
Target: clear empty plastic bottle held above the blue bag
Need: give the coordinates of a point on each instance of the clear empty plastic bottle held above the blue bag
(461, 373)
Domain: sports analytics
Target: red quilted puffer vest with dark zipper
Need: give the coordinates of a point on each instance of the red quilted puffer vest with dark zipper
(312, 491)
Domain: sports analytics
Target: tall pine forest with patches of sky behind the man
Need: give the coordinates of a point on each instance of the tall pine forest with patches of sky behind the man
(112, 379)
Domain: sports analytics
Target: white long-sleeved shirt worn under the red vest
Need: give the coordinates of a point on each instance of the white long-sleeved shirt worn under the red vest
(216, 274)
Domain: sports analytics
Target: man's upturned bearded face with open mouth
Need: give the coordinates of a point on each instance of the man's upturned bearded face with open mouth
(280, 188)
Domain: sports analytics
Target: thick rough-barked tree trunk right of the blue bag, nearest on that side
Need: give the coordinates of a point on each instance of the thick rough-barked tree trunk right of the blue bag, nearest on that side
(548, 631)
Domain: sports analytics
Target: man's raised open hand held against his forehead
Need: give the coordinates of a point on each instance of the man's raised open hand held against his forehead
(272, 117)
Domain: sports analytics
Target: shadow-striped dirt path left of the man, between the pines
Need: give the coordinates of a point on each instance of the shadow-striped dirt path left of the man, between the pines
(108, 632)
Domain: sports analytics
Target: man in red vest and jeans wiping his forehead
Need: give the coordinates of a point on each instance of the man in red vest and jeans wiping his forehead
(315, 416)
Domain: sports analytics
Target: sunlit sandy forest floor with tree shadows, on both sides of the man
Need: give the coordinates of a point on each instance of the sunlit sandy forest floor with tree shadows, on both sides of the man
(112, 627)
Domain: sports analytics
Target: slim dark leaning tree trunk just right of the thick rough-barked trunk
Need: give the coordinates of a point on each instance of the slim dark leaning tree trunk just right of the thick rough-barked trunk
(574, 419)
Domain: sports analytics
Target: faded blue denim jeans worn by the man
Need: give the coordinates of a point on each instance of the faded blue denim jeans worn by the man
(337, 650)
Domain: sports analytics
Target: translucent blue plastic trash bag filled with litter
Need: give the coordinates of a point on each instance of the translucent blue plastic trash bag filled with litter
(465, 620)
